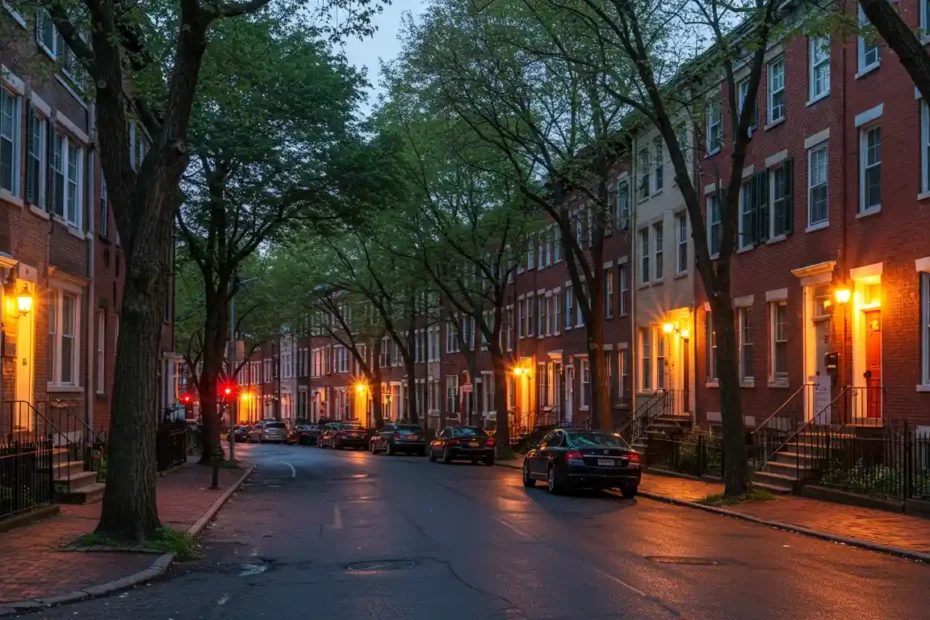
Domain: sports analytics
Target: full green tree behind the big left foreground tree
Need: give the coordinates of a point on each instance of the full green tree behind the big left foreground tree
(272, 121)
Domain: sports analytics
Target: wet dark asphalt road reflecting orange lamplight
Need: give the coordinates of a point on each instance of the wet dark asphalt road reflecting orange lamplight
(452, 542)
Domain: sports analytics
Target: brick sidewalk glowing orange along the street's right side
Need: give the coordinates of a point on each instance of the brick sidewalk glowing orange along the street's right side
(888, 532)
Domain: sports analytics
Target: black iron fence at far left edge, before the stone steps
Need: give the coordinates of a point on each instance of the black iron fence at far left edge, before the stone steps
(26, 479)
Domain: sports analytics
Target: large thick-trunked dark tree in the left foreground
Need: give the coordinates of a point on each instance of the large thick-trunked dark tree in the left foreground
(122, 56)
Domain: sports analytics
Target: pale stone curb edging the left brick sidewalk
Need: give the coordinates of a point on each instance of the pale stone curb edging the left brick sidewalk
(158, 567)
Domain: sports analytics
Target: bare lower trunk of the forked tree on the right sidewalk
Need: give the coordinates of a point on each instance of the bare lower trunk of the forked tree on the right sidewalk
(731, 413)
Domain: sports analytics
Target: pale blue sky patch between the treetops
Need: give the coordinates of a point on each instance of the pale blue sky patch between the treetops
(384, 45)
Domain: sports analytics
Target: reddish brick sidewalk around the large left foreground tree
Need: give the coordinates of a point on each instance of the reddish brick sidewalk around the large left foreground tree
(32, 566)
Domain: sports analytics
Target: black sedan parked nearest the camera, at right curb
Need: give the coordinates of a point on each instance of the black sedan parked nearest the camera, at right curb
(569, 458)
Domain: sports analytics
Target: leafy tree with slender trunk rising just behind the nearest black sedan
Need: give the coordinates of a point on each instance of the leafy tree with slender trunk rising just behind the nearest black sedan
(502, 72)
